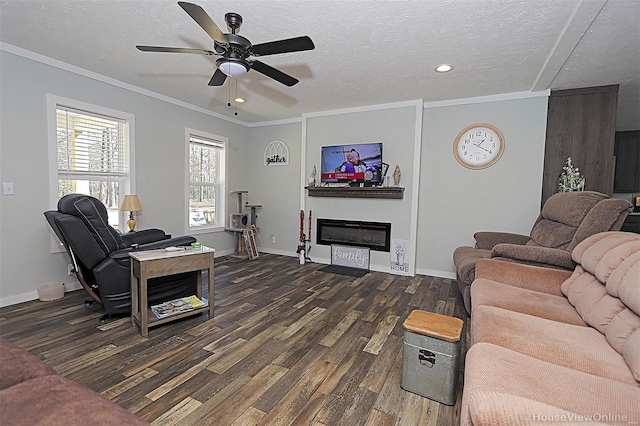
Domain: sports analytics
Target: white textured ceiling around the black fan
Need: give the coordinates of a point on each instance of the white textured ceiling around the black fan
(367, 52)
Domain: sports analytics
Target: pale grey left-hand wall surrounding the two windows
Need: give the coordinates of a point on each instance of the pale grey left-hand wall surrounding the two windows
(27, 261)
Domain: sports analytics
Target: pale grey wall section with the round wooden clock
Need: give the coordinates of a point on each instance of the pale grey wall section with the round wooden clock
(455, 201)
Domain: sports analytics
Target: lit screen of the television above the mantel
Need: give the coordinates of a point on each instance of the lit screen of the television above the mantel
(352, 163)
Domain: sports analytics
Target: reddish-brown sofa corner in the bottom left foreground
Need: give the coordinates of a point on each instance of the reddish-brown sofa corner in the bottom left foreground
(32, 393)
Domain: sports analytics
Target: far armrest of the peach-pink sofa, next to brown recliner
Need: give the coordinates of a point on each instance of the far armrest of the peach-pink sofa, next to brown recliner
(536, 278)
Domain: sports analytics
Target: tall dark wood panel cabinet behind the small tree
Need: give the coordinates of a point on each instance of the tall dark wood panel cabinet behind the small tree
(581, 125)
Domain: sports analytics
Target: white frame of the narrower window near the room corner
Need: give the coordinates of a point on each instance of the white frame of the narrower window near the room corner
(221, 204)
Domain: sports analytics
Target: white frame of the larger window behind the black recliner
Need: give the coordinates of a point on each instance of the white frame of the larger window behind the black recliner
(128, 184)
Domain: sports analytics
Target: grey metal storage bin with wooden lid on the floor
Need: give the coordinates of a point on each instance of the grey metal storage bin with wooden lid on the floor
(431, 356)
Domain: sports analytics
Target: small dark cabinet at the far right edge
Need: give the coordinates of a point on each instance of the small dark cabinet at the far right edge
(627, 153)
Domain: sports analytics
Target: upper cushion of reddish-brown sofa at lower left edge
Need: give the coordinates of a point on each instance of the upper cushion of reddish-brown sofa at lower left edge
(19, 365)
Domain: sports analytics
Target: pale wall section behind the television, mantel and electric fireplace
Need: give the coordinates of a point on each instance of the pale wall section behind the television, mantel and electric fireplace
(395, 127)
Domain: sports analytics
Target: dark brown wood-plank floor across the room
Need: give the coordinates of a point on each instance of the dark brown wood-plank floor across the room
(288, 345)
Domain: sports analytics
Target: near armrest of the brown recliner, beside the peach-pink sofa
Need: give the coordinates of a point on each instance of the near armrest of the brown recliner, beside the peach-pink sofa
(535, 255)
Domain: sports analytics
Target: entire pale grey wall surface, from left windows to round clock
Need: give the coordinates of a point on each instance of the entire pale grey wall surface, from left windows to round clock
(451, 204)
